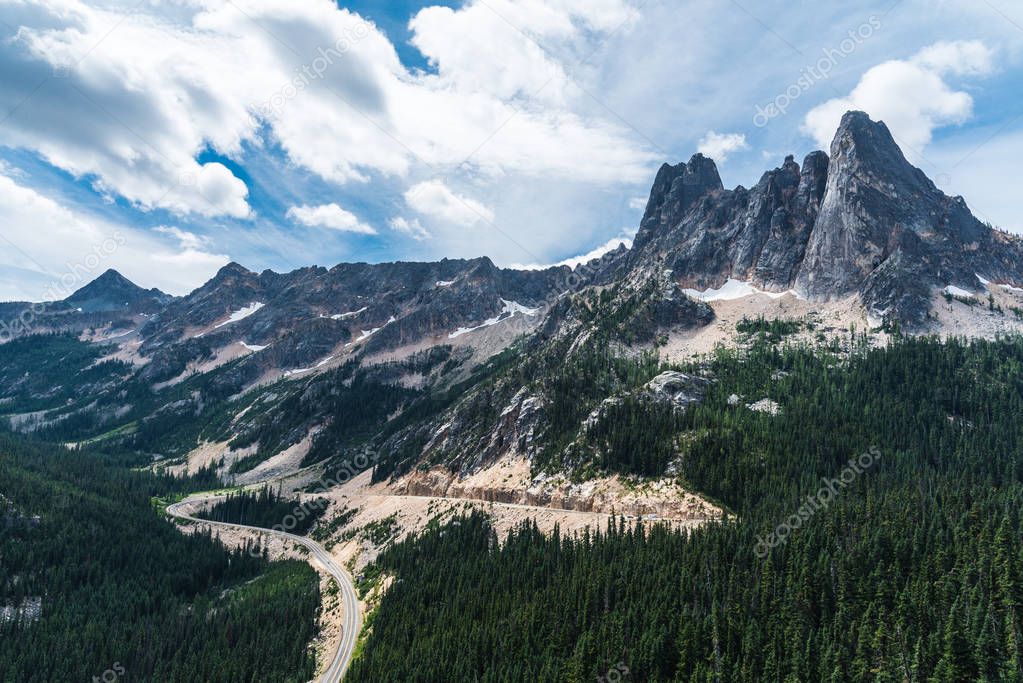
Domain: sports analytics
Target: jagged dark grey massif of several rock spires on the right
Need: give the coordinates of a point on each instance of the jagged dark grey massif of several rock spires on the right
(861, 221)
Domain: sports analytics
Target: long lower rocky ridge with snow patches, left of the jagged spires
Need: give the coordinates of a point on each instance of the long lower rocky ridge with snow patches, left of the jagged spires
(314, 318)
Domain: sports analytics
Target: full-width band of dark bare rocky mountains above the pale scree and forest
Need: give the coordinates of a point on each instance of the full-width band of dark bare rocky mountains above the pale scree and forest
(860, 222)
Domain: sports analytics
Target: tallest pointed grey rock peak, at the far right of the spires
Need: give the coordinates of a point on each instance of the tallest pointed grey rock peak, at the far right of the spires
(887, 234)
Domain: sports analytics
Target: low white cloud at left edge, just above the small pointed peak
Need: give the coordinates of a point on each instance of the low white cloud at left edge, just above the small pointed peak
(57, 250)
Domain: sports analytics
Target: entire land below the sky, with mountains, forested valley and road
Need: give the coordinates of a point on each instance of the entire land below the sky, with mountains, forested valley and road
(779, 439)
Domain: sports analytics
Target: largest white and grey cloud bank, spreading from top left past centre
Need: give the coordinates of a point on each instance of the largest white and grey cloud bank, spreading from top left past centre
(132, 98)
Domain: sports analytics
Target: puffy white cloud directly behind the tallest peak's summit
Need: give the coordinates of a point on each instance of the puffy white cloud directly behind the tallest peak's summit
(911, 97)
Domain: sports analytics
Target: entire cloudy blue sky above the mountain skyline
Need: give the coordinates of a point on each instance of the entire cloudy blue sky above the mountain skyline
(167, 139)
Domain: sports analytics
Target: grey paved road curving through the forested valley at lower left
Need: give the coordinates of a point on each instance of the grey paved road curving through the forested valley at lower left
(353, 618)
